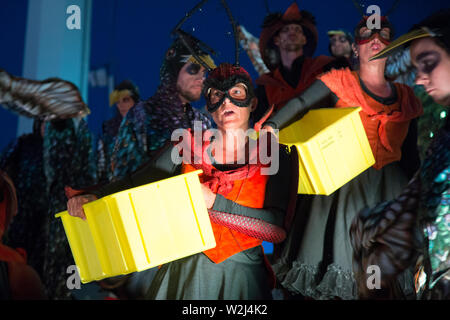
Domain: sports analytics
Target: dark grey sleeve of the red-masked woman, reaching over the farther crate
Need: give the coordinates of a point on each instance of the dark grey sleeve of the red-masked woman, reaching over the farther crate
(297, 107)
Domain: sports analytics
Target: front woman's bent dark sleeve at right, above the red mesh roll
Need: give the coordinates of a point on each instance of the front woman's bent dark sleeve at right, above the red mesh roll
(276, 196)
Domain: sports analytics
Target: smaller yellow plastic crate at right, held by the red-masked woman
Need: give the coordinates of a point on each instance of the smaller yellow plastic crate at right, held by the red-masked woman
(332, 146)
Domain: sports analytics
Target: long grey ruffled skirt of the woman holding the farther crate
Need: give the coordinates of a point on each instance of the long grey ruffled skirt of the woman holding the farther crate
(299, 257)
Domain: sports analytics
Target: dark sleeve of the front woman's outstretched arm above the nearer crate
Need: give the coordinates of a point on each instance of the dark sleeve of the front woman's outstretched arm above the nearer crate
(160, 167)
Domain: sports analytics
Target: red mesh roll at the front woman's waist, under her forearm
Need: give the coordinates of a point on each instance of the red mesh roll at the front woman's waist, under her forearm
(252, 227)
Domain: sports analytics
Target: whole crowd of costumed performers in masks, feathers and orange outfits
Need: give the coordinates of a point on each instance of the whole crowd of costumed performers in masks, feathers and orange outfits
(393, 215)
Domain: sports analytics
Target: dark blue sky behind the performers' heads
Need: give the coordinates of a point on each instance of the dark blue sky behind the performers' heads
(131, 36)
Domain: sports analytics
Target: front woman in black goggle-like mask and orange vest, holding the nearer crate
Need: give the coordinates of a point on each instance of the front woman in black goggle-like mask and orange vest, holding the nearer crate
(246, 206)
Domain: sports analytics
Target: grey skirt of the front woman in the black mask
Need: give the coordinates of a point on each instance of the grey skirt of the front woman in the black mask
(243, 276)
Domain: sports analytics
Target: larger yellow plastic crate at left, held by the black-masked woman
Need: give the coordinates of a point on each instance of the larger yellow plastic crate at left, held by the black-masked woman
(140, 228)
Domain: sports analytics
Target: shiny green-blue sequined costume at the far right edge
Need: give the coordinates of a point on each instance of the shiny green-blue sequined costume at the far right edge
(434, 219)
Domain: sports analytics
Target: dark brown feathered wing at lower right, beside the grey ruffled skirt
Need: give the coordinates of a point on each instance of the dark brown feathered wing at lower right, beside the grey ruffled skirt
(383, 237)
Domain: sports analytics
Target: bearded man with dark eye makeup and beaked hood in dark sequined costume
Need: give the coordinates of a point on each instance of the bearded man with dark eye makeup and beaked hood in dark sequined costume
(148, 126)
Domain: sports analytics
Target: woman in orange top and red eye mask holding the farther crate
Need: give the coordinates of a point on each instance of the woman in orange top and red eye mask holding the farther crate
(316, 258)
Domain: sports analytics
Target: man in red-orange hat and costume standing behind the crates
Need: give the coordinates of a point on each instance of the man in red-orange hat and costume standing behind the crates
(287, 43)
